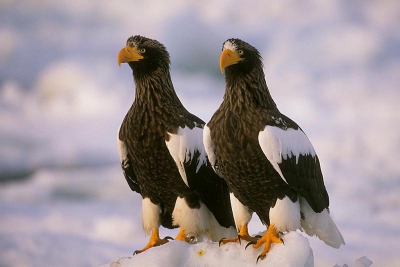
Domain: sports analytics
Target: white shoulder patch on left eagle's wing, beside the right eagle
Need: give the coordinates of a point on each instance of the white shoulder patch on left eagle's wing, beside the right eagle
(183, 145)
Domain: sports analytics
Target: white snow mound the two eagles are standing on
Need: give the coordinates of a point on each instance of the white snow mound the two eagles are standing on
(295, 252)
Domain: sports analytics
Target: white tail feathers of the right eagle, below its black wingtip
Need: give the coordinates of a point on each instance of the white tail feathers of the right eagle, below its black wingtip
(321, 225)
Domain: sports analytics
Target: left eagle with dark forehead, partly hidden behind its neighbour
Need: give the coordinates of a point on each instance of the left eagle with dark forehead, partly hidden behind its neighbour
(162, 154)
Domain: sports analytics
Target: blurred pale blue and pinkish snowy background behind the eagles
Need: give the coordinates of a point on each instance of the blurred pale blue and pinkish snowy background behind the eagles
(332, 66)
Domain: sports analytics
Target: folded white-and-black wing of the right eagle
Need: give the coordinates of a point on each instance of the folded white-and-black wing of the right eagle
(292, 155)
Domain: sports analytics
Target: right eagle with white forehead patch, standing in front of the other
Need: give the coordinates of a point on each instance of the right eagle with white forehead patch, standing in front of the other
(267, 160)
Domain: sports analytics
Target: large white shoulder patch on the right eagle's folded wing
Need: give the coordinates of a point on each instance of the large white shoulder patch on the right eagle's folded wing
(278, 144)
